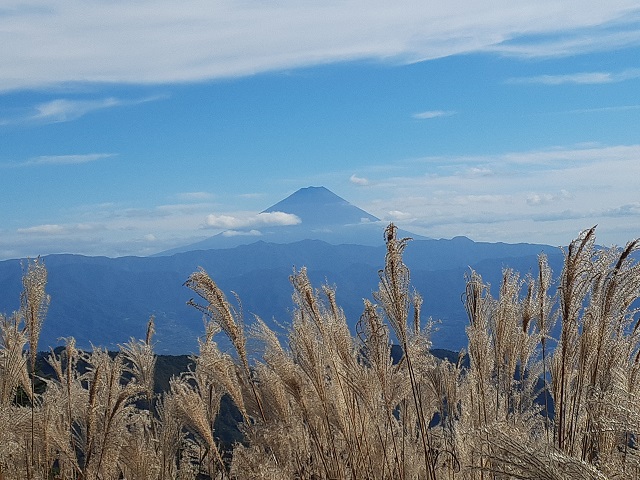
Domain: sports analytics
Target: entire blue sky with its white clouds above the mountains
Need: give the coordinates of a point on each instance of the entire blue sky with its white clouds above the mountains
(127, 128)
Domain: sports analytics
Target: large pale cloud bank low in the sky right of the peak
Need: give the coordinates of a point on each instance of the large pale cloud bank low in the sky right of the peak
(513, 194)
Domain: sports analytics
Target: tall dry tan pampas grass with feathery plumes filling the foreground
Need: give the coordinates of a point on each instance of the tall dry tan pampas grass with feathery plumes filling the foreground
(326, 403)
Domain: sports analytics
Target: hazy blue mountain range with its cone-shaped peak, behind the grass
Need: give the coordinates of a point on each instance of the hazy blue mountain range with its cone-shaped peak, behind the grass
(105, 301)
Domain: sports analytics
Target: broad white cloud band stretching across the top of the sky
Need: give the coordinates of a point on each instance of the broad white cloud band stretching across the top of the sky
(56, 42)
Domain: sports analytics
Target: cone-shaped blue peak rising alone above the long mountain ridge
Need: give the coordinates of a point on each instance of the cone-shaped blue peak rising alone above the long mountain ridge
(323, 216)
